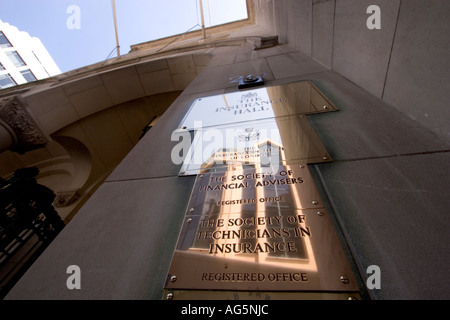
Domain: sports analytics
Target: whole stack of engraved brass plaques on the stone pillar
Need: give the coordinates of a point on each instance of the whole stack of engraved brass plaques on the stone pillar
(255, 224)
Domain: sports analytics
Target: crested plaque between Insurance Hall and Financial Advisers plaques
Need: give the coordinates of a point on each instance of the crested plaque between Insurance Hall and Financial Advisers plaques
(268, 142)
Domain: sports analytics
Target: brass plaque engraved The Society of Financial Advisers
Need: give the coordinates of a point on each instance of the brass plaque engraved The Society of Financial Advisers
(251, 190)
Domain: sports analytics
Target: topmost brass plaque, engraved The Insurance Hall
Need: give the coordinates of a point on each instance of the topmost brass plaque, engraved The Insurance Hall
(257, 104)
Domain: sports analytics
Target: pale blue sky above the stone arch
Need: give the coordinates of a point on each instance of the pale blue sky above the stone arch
(91, 37)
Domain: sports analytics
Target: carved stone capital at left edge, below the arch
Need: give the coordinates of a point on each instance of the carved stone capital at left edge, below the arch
(29, 135)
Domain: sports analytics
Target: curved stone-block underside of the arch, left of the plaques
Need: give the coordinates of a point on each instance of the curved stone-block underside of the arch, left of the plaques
(59, 106)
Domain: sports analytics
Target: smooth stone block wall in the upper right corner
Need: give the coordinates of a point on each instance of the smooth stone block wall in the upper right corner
(404, 63)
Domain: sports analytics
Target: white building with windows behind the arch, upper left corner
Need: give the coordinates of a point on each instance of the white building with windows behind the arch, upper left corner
(23, 58)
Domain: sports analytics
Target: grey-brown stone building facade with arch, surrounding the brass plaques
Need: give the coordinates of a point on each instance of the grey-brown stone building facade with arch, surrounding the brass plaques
(389, 143)
